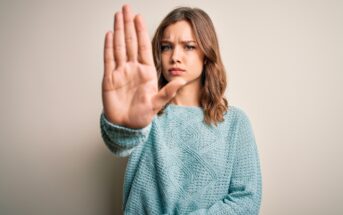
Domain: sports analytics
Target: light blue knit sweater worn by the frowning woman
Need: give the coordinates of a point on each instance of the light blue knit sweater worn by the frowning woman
(178, 164)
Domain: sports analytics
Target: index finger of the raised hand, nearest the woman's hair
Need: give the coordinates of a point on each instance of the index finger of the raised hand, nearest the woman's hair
(144, 44)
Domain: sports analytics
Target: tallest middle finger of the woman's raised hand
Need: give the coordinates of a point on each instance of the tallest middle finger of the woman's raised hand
(130, 34)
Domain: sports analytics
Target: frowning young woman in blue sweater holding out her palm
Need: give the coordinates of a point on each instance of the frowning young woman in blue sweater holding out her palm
(164, 106)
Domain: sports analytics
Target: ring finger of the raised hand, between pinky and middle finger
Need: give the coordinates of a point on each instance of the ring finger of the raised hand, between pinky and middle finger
(119, 40)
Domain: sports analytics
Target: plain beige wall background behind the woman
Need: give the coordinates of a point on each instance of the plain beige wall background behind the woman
(284, 60)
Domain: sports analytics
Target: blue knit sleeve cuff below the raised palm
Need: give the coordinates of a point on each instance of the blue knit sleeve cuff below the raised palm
(122, 140)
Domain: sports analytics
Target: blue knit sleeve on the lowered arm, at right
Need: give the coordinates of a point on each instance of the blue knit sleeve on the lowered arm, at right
(245, 189)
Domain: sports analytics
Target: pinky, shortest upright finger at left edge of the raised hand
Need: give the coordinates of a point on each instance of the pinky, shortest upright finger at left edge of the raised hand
(108, 54)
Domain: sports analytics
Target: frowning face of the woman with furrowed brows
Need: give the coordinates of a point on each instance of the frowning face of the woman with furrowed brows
(181, 55)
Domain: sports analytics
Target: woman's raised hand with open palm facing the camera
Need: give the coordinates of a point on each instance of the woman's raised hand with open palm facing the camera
(129, 89)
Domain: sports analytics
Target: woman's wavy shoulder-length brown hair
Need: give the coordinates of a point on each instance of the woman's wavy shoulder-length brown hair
(213, 77)
